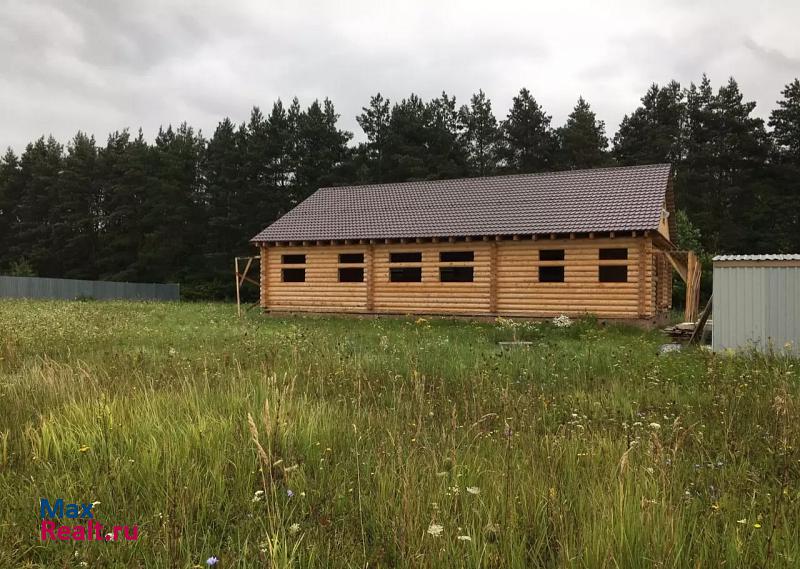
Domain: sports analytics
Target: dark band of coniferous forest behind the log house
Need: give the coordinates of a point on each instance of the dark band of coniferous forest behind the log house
(180, 208)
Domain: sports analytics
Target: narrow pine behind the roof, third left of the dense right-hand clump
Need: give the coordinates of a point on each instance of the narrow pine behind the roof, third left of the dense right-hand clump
(480, 135)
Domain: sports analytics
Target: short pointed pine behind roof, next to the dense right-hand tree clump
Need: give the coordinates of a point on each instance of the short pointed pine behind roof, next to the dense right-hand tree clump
(582, 140)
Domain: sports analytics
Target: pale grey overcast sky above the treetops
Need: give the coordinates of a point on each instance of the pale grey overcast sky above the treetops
(102, 65)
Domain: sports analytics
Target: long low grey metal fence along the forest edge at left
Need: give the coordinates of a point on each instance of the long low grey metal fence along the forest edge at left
(71, 289)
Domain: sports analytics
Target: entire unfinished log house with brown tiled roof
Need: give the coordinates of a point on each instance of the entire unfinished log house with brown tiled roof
(577, 242)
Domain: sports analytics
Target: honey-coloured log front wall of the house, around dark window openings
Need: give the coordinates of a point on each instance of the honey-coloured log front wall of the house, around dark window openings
(505, 282)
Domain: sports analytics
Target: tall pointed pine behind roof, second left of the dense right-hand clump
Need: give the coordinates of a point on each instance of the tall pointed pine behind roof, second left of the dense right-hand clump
(528, 142)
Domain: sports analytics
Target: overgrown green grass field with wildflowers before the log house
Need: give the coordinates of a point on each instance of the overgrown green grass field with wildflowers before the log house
(389, 442)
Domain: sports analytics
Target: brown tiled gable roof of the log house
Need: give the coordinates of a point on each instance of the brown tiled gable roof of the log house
(574, 201)
